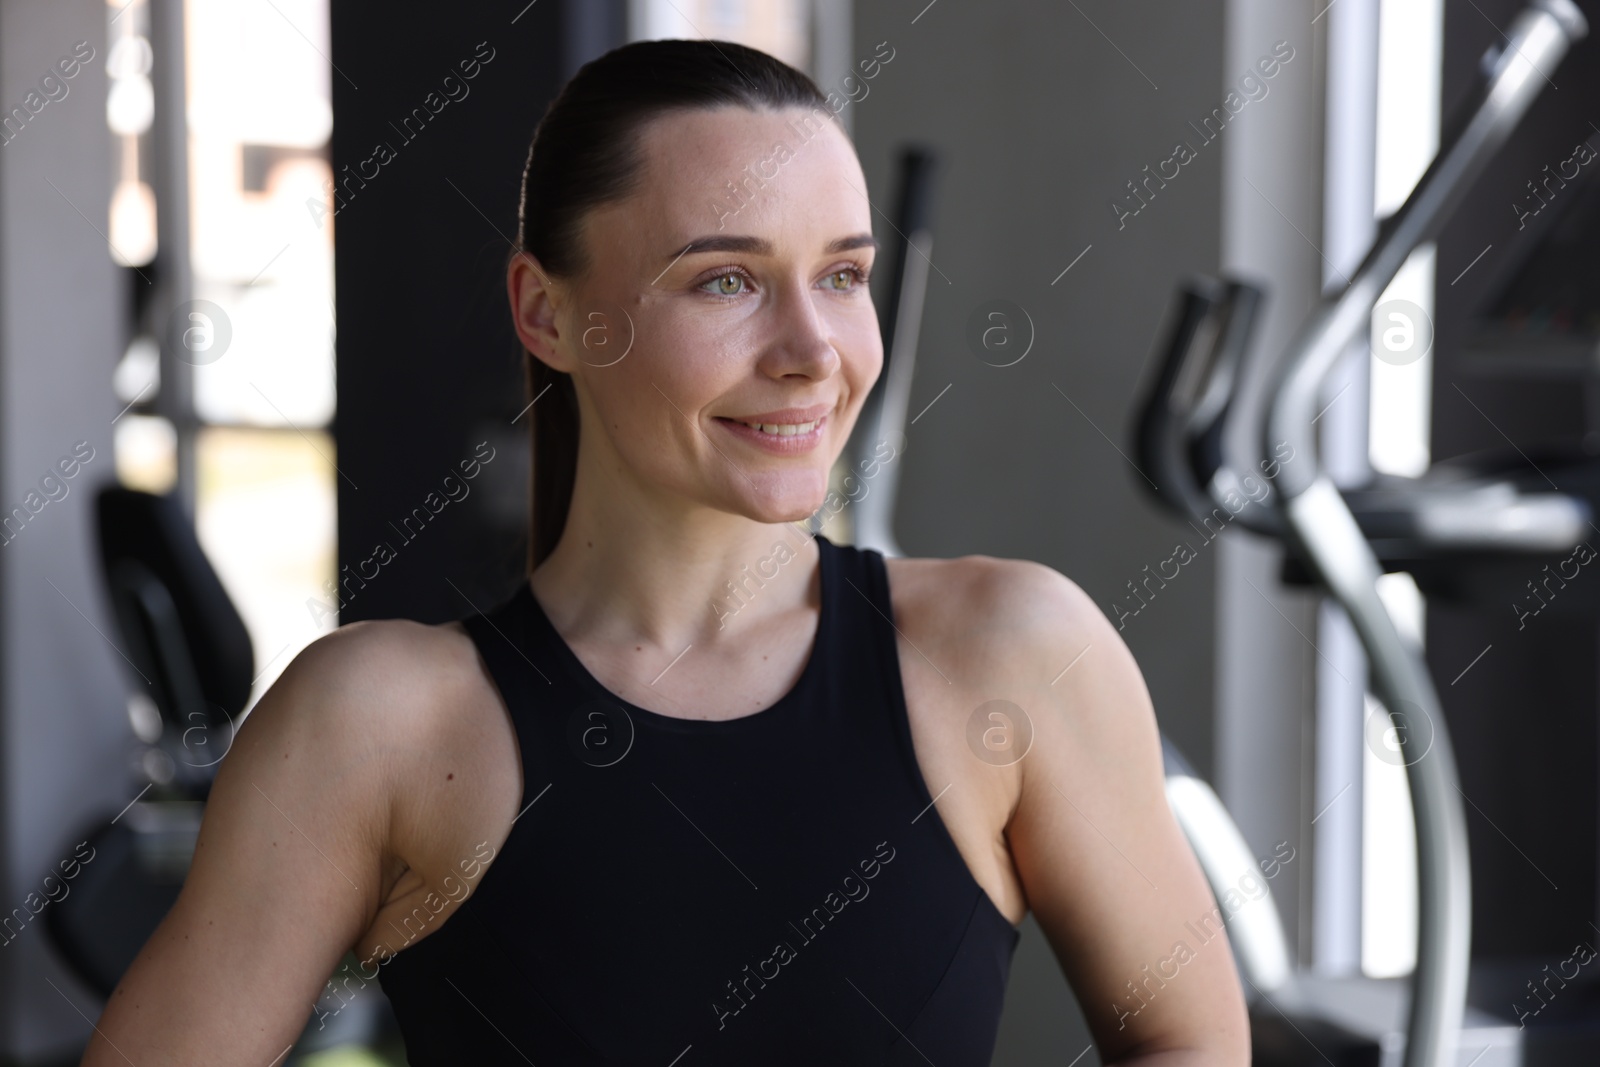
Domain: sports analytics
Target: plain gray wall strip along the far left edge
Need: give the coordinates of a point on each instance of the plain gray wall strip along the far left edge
(63, 721)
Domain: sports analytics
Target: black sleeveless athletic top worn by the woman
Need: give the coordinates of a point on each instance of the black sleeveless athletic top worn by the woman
(775, 889)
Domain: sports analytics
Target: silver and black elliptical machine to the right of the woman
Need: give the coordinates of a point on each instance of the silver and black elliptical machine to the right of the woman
(1457, 529)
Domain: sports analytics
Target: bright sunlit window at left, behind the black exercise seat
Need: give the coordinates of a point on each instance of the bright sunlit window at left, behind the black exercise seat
(260, 114)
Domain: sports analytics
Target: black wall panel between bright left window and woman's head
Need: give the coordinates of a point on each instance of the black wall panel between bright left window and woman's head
(428, 166)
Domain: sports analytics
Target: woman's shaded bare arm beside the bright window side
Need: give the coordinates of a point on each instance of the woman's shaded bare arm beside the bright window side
(289, 871)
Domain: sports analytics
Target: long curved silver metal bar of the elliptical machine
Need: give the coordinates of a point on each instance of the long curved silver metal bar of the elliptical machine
(1321, 524)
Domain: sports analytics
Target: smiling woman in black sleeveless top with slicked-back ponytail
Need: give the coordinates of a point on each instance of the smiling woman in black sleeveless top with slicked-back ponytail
(705, 789)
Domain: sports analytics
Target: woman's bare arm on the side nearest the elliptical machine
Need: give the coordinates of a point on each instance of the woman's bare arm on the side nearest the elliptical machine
(1106, 869)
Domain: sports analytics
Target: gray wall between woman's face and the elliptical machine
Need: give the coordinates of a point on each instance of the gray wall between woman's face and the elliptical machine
(1042, 121)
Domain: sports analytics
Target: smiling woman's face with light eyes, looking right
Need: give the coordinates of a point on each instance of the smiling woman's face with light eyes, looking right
(730, 289)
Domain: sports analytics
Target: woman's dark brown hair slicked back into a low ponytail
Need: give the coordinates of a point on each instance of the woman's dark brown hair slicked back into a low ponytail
(586, 153)
